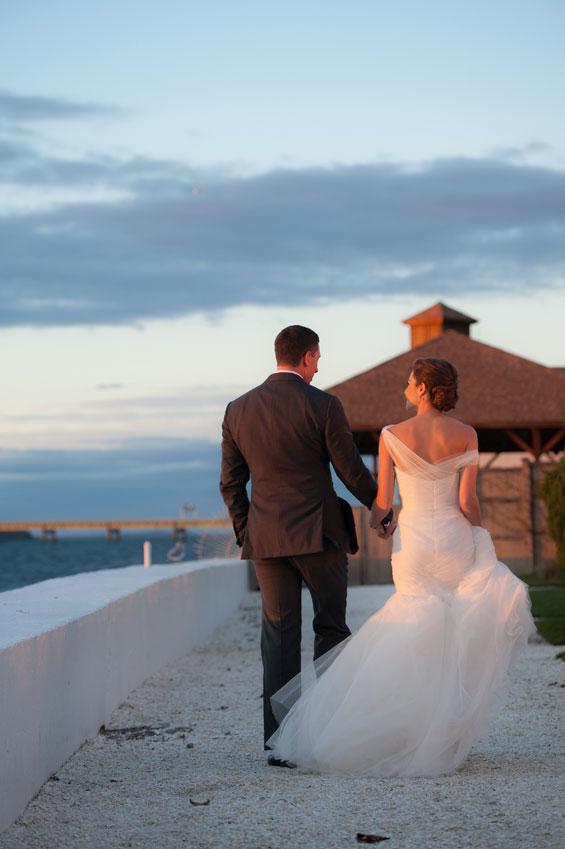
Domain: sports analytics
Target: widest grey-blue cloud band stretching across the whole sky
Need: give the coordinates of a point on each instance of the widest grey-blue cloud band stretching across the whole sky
(177, 240)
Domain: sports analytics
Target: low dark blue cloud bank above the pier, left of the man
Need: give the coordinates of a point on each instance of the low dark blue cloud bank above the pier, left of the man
(145, 478)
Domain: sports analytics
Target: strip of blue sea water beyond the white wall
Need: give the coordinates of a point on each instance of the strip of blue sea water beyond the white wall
(28, 561)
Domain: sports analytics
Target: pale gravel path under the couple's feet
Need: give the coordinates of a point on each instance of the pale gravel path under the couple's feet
(194, 774)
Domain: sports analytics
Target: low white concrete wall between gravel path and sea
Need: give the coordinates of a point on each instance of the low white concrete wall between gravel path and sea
(71, 649)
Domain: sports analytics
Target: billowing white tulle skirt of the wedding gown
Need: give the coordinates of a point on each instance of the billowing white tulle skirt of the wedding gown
(413, 689)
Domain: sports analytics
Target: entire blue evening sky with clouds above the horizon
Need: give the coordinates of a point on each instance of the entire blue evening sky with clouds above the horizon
(179, 181)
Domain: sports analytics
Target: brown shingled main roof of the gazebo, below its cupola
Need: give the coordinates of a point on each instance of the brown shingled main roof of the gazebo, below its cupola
(496, 389)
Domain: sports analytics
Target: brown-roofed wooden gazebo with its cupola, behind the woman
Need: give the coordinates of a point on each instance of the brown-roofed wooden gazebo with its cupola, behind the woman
(514, 404)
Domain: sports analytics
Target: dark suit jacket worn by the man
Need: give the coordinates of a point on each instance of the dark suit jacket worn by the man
(283, 435)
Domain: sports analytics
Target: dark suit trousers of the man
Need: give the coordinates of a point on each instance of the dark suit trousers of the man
(280, 580)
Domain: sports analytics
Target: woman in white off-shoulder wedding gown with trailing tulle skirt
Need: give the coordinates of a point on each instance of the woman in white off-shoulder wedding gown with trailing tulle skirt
(412, 690)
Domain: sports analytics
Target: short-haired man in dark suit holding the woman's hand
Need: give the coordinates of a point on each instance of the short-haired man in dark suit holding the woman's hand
(283, 435)
